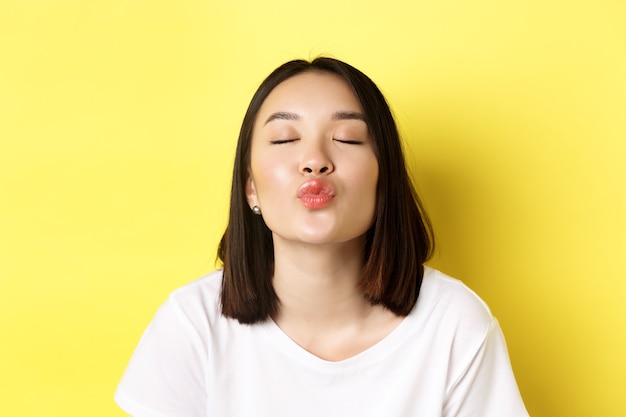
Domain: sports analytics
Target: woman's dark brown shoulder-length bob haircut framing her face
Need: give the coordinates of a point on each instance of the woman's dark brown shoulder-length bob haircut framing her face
(397, 244)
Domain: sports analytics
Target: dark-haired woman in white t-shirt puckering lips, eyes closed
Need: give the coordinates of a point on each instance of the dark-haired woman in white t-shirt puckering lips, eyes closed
(323, 307)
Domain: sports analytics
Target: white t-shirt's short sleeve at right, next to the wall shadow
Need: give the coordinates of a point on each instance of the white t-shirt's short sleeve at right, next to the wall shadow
(486, 387)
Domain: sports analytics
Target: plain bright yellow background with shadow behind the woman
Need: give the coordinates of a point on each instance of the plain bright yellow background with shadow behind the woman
(118, 121)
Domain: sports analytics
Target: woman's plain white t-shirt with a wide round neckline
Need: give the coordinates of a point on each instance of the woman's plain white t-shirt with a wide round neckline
(447, 358)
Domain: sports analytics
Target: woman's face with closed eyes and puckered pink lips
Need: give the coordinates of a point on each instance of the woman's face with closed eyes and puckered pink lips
(313, 171)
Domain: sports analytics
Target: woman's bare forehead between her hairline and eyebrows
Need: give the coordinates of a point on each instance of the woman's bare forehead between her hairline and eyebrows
(311, 91)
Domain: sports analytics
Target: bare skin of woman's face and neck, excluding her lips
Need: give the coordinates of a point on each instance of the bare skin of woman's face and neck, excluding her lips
(310, 128)
